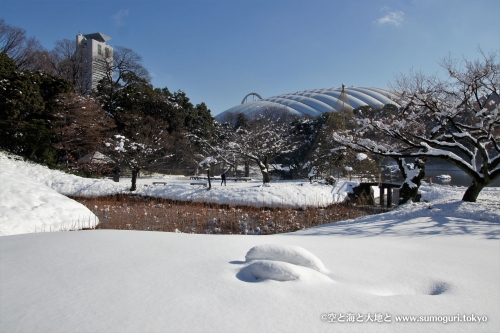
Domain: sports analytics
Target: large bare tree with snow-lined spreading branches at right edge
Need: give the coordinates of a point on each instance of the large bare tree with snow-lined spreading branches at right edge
(456, 120)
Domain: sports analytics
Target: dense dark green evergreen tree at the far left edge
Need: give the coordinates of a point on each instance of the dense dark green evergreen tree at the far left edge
(28, 103)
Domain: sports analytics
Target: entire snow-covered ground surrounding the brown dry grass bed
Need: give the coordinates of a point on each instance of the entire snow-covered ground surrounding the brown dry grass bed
(438, 259)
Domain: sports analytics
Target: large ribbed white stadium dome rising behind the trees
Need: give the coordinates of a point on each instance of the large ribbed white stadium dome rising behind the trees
(312, 103)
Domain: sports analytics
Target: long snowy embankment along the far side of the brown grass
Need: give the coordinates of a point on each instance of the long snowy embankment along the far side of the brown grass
(282, 194)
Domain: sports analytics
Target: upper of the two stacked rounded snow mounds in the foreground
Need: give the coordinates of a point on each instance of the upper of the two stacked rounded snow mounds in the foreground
(295, 255)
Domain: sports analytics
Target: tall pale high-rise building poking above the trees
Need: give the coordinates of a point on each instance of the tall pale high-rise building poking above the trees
(95, 53)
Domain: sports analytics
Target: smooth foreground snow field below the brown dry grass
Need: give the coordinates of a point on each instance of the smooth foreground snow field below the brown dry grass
(129, 281)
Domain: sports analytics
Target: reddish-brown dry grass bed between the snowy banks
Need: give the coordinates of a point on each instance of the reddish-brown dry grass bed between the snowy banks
(145, 213)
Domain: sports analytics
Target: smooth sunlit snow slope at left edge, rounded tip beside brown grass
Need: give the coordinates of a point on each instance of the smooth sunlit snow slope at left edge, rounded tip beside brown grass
(28, 206)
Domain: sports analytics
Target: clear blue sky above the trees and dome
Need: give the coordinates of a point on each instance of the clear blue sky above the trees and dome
(219, 51)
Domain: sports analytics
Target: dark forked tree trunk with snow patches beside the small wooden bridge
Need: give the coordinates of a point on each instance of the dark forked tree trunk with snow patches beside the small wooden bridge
(413, 178)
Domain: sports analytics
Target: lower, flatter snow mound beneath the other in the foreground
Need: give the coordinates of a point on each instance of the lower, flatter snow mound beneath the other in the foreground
(282, 271)
